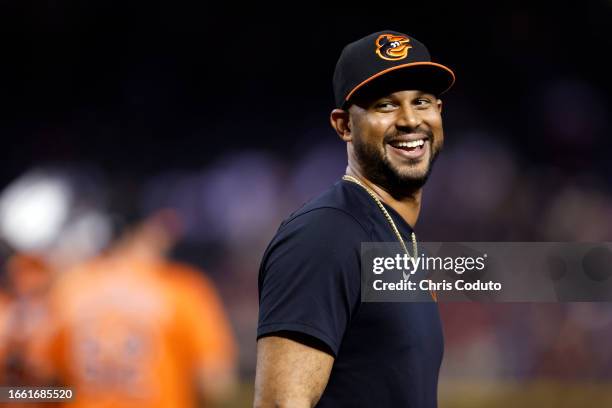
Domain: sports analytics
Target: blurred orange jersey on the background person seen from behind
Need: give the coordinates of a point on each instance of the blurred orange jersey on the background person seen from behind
(137, 334)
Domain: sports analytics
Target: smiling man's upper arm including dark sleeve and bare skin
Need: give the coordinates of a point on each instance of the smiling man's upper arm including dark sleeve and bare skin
(309, 288)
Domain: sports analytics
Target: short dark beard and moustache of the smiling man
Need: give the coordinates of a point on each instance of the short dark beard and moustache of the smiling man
(377, 167)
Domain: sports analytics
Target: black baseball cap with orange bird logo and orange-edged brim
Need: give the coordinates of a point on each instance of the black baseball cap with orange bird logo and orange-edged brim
(387, 60)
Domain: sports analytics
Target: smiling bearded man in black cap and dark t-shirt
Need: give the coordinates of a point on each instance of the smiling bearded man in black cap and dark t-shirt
(318, 344)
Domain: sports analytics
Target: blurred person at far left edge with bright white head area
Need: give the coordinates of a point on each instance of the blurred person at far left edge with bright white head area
(47, 223)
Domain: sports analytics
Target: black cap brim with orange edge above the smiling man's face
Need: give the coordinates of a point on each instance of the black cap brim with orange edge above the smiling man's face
(423, 76)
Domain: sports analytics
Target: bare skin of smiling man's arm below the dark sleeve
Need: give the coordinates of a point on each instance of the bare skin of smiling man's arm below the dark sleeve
(289, 373)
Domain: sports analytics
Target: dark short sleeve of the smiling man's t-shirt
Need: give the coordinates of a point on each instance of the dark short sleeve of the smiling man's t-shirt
(310, 276)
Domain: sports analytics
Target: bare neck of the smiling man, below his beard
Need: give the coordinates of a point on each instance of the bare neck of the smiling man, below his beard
(407, 204)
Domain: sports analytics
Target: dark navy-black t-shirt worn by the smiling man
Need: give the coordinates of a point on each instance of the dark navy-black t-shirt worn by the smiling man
(386, 354)
